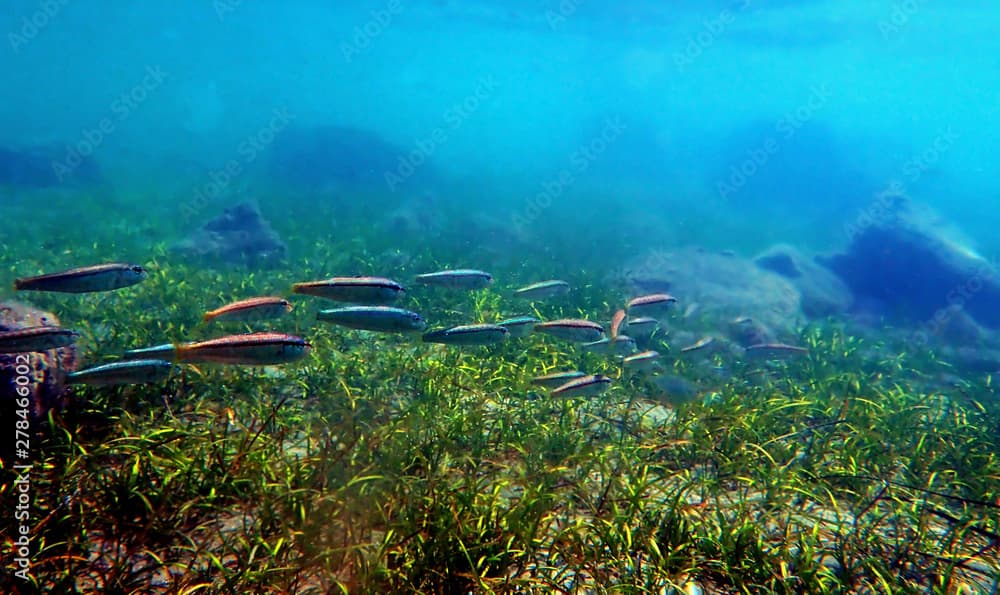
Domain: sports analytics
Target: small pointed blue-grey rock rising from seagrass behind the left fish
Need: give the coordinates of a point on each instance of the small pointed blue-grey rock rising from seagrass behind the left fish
(240, 235)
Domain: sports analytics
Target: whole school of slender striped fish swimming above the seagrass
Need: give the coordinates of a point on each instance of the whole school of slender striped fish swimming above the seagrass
(366, 305)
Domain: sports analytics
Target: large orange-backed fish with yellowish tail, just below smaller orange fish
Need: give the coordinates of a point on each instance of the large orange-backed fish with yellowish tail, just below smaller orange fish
(252, 349)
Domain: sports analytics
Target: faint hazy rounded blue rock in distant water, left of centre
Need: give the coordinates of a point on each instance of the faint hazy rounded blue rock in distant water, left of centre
(321, 158)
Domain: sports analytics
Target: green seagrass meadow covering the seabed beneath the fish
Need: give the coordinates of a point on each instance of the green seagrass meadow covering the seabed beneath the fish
(381, 464)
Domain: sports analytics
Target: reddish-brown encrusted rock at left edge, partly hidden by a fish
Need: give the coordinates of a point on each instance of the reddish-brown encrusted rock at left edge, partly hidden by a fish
(46, 370)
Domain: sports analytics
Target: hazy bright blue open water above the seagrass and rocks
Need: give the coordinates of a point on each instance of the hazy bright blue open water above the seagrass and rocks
(778, 120)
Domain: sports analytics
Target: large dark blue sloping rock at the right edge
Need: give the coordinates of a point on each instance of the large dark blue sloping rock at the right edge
(904, 262)
